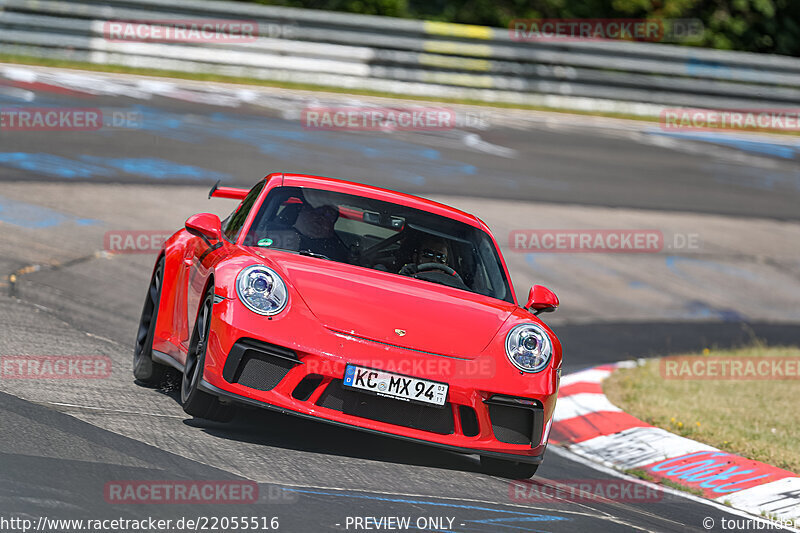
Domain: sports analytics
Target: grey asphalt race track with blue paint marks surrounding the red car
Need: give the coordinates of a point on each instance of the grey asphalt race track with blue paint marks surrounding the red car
(60, 192)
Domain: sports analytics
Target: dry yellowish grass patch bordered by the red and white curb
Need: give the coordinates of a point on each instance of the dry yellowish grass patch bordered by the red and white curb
(756, 419)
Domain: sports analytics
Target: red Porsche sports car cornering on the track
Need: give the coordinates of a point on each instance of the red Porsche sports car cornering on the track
(357, 306)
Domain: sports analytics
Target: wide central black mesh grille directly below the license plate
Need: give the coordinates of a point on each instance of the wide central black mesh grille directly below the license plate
(388, 410)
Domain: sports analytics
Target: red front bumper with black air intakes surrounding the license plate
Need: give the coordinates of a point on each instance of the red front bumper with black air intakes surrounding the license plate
(294, 365)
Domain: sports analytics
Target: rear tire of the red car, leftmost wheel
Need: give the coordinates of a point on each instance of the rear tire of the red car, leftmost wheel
(146, 370)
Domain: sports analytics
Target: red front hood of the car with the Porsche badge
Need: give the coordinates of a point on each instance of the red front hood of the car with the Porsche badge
(392, 309)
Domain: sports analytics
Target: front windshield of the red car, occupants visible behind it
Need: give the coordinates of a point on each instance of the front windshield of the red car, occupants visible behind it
(380, 235)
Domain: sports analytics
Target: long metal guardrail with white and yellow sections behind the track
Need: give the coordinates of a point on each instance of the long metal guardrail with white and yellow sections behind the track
(408, 57)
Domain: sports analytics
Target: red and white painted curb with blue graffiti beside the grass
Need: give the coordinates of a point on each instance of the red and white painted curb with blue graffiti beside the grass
(589, 425)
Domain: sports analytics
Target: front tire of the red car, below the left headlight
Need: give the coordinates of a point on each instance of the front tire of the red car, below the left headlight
(196, 402)
